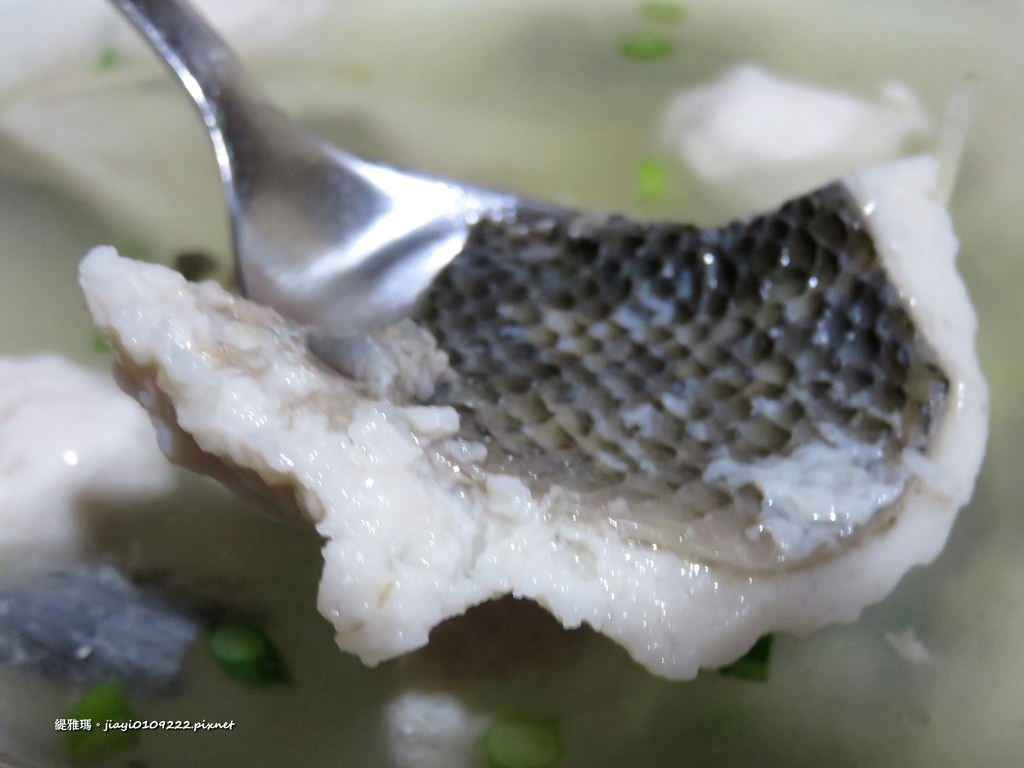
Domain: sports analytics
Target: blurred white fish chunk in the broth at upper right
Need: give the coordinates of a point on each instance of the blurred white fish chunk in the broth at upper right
(760, 132)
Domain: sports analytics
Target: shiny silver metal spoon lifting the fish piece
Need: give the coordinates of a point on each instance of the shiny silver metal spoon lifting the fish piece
(322, 236)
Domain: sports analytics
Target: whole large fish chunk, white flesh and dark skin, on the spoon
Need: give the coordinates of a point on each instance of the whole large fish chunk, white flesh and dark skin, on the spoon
(681, 516)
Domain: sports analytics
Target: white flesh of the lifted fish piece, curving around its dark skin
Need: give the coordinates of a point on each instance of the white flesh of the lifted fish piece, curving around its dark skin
(416, 532)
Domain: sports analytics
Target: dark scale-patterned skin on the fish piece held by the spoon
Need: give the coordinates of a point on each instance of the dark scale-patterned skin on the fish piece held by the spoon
(602, 354)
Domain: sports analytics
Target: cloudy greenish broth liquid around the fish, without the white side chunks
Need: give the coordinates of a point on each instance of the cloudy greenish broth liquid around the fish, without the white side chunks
(97, 146)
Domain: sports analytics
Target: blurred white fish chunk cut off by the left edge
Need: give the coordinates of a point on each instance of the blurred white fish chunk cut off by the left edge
(68, 439)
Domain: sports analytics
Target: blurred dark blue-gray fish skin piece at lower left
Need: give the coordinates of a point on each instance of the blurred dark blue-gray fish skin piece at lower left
(87, 624)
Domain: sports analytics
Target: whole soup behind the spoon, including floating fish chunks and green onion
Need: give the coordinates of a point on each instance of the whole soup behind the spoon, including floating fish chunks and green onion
(696, 113)
